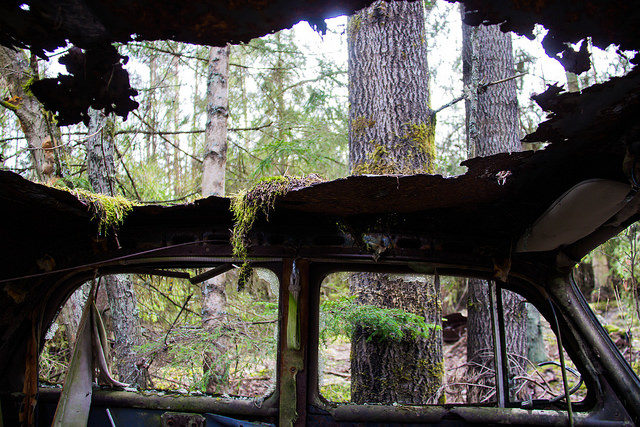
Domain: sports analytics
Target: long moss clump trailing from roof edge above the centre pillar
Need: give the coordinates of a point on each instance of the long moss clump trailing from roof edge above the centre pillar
(246, 206)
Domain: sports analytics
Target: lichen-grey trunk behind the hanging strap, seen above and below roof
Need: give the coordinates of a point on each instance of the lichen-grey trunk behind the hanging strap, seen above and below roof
(119, 289)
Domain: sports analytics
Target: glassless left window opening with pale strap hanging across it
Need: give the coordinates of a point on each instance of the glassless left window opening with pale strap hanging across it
(202, 338)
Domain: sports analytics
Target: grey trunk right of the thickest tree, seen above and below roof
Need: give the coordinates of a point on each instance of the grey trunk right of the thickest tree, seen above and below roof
(492, 127)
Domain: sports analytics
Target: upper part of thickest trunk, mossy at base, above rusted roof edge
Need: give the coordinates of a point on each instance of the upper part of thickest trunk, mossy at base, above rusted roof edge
(390, 126)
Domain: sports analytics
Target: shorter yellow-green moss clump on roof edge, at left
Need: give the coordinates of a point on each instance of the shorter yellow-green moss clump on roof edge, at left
(109, 211)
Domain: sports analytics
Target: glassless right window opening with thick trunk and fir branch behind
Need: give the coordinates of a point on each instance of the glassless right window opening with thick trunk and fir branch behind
(534, 375)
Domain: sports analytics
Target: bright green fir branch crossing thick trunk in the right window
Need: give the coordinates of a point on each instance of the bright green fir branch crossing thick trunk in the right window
(344, 314)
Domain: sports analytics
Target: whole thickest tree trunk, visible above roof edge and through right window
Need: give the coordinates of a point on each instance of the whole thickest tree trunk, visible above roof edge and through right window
(391, 131)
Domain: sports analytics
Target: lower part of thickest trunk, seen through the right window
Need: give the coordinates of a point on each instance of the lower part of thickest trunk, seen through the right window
(407, 371)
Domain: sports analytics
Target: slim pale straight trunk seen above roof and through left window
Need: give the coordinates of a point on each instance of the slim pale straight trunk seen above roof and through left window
(216, 362)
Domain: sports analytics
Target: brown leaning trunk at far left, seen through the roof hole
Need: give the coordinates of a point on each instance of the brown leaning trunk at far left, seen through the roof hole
(41, 137)
